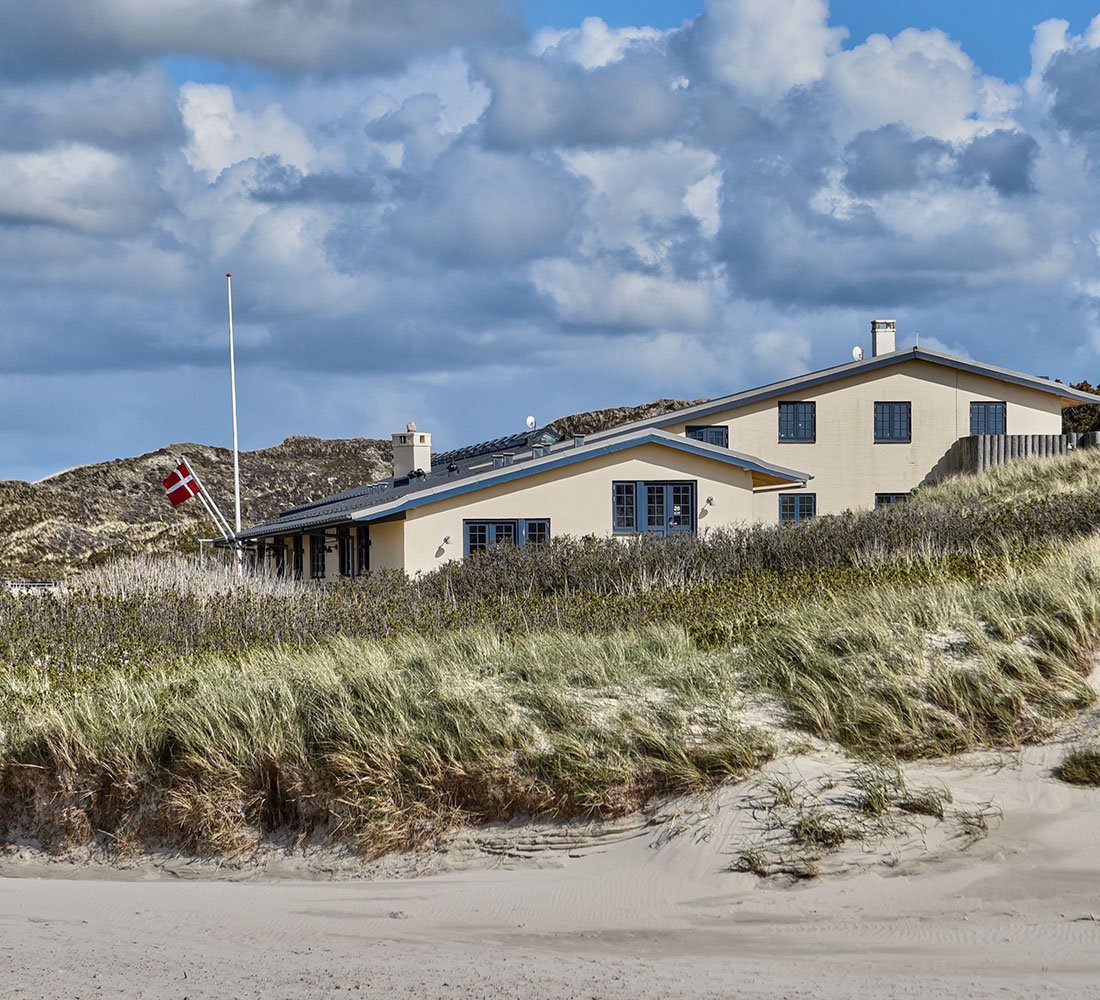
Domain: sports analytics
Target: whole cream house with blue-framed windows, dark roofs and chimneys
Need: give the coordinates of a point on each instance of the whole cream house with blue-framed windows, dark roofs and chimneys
(851, 437)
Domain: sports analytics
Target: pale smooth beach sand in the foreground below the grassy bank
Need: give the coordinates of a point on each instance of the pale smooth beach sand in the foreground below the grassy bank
(643, 908)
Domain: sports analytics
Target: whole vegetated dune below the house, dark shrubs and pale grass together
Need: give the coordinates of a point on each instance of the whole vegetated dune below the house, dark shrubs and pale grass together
(152, 706)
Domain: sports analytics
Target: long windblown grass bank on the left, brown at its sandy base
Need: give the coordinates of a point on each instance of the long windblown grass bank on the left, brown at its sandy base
(381, 745)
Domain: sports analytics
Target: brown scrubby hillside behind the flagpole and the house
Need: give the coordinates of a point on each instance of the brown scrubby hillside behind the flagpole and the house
(84, 517)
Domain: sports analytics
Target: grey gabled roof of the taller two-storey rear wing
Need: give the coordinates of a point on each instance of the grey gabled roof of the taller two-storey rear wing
(1070, 397)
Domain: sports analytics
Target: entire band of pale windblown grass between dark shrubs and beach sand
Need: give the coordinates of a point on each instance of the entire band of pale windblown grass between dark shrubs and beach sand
(386, 744)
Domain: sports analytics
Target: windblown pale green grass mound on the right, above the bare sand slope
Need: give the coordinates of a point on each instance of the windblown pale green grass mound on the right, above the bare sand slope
(945, 667)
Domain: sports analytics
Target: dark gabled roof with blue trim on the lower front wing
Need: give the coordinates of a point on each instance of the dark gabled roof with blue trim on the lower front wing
(362, 508)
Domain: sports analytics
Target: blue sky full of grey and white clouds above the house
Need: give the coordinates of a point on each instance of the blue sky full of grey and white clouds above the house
(464, 213)
